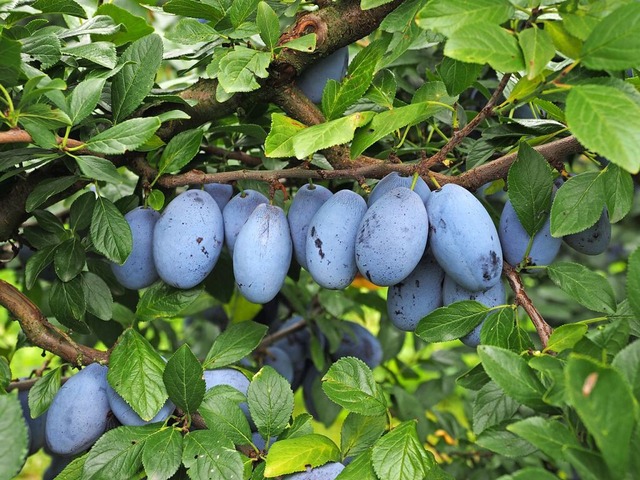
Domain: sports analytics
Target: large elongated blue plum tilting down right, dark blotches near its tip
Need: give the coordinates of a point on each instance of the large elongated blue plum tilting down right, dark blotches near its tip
(463, 238)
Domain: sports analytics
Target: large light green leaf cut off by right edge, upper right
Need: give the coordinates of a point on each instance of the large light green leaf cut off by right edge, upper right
(606, 120)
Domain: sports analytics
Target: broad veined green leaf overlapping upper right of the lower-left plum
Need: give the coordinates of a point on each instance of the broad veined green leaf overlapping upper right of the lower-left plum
(135, 373)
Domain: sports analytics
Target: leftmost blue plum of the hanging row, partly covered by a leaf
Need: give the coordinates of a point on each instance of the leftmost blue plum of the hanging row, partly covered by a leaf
(139, 270)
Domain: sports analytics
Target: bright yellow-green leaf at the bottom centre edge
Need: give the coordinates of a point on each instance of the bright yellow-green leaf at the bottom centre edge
(294, 454)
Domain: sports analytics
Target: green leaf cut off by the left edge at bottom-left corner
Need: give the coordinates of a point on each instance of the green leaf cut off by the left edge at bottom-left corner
(13, 436)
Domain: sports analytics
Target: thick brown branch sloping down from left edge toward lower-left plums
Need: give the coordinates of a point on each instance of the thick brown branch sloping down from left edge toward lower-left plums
(42, 333)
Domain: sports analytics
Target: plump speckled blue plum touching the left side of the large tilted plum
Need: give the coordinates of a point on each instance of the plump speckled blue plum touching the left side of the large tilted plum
(392, 237)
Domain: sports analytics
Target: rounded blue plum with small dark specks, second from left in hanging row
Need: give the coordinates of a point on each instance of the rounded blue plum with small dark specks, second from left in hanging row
(188, 239)
